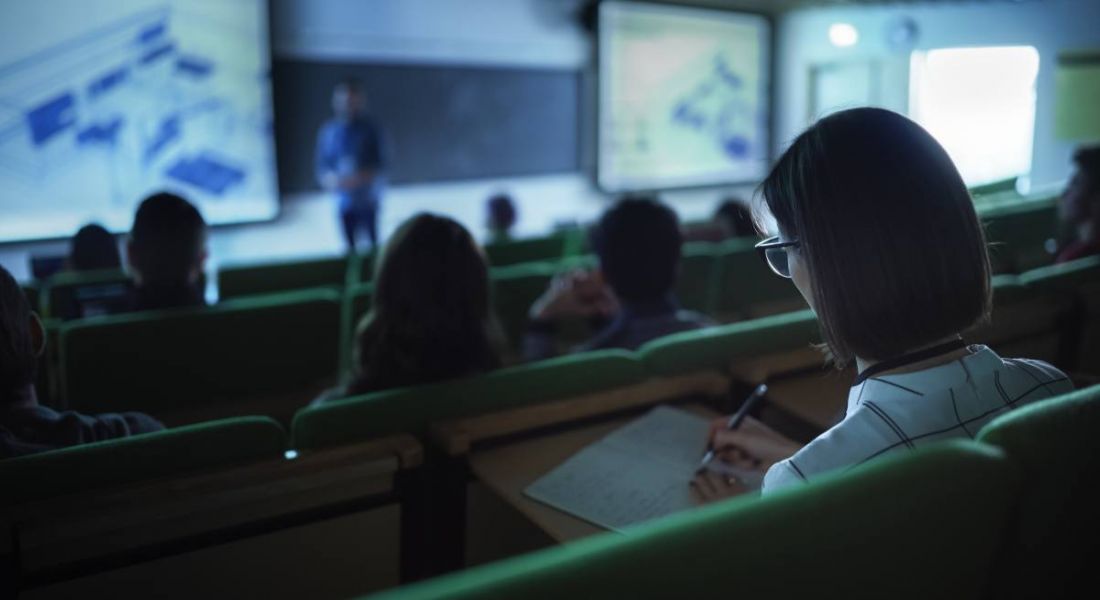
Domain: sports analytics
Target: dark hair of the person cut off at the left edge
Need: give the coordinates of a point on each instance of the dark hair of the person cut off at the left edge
(19, 362)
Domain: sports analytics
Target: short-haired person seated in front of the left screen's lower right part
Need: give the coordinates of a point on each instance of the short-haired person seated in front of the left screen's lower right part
(168, 254)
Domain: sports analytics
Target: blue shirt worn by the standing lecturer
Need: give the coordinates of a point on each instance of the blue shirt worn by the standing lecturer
(347, 147)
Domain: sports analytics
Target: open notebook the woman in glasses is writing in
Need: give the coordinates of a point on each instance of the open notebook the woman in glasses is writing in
(639, 473)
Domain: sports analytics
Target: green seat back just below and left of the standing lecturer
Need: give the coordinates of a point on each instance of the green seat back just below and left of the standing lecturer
(282, 277)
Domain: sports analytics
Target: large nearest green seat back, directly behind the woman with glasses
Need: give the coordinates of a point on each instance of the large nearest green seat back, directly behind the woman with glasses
(919, 526)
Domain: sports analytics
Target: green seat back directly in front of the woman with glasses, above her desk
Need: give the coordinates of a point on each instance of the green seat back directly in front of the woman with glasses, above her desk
(714, 348)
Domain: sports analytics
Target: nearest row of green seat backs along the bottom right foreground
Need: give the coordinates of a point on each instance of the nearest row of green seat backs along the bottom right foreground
(1010, 516)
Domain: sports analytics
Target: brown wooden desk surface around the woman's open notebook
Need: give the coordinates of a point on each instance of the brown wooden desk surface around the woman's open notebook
(508, 471)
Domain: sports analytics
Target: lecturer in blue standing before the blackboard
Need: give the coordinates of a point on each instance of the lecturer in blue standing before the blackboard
(351, 161)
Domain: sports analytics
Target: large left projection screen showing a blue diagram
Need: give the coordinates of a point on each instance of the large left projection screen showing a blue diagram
(173, 96)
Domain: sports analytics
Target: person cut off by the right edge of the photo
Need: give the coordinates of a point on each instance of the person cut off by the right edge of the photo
(1080, 209)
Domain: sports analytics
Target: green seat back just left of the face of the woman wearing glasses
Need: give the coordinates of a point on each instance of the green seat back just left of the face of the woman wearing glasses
(746, 285)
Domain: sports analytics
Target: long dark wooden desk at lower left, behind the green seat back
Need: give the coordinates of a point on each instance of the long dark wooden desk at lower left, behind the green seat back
(86, 534)
